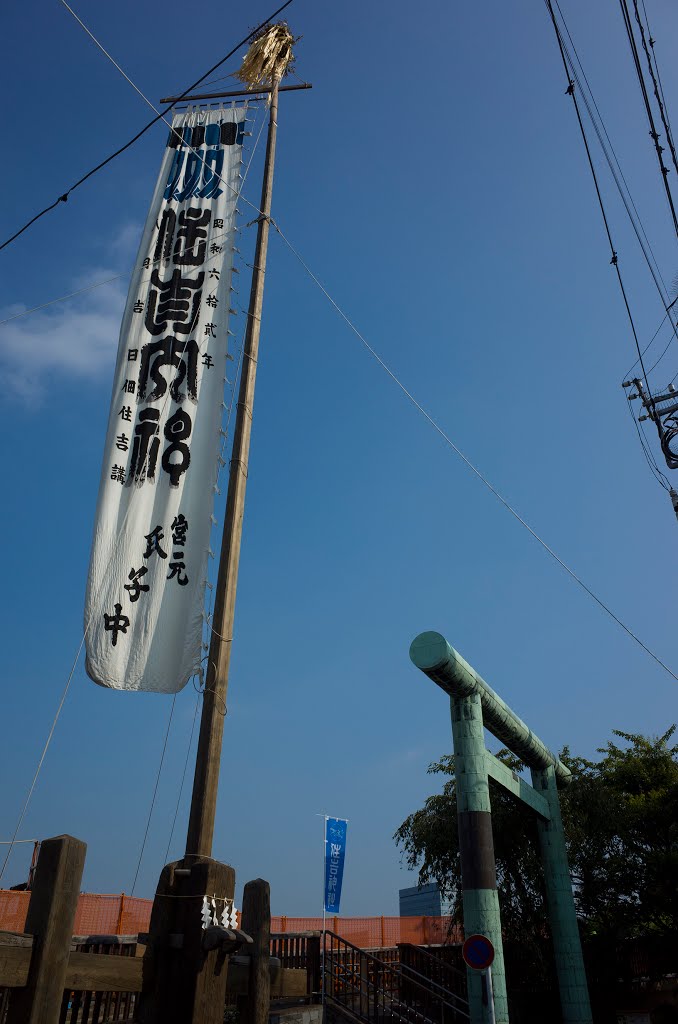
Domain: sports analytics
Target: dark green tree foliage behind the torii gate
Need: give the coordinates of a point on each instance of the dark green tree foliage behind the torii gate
(621, 821)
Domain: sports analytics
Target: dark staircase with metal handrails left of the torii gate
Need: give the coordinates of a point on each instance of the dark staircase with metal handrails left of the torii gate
(365, 990)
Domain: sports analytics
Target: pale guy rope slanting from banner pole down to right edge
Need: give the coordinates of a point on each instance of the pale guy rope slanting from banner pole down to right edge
(439, 430)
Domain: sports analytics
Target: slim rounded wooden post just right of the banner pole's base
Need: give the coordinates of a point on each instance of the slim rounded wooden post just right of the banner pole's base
(255, 1008)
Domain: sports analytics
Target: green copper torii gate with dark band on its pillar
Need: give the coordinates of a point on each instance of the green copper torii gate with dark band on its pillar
(475, 706)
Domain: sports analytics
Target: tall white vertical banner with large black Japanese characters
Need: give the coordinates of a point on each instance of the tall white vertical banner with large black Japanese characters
(144, 608)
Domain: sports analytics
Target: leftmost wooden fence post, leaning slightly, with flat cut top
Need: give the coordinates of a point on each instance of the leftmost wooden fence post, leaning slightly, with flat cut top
(51, 919)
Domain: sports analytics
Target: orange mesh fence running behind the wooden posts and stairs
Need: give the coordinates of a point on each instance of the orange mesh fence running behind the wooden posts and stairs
(101, 915)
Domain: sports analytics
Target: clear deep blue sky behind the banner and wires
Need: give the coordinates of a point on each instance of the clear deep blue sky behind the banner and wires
(436, 182)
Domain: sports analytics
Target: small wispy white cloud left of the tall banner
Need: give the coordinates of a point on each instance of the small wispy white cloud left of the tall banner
(77, 337)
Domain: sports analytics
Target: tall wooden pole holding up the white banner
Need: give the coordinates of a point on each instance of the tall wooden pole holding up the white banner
(206, 781)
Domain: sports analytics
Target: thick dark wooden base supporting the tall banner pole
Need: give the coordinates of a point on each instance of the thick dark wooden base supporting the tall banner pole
(183, 984)
